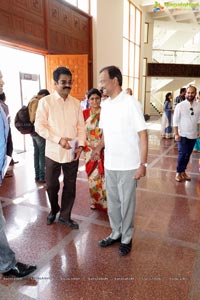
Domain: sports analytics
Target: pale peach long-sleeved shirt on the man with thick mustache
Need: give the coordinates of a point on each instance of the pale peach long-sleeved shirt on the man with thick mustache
(56, 118)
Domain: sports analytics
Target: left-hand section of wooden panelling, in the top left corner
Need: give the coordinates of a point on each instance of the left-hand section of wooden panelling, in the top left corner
(22, 21)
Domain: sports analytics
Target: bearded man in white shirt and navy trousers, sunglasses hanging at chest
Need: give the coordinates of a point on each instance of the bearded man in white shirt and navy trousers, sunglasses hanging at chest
(185, 120)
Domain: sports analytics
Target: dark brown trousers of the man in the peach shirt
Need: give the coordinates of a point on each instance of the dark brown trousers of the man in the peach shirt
(53, 171)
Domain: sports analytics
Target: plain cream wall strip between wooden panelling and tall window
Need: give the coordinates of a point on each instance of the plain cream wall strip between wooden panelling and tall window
(107, 34)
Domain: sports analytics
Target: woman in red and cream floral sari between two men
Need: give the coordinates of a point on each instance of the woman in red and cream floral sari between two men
(94, 169)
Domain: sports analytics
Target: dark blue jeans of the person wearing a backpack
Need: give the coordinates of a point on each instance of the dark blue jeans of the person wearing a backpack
(39, 156)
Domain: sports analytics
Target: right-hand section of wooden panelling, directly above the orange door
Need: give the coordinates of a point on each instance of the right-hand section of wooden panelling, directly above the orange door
(68, 30)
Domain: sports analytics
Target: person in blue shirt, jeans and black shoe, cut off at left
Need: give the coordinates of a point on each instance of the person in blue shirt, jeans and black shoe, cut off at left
(8, 264)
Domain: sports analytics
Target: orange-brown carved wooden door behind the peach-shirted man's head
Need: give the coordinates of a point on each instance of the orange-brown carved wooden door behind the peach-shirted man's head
(78, 65)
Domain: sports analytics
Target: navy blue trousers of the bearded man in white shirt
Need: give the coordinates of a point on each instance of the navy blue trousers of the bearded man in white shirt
(185, 148)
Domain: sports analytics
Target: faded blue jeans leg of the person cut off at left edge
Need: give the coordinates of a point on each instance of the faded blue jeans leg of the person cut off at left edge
(7, 256)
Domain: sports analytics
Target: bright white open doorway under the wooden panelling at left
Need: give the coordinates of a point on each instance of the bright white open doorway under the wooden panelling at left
(13, 63)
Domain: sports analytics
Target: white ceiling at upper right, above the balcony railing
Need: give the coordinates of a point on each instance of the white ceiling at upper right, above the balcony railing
(174, 28)
